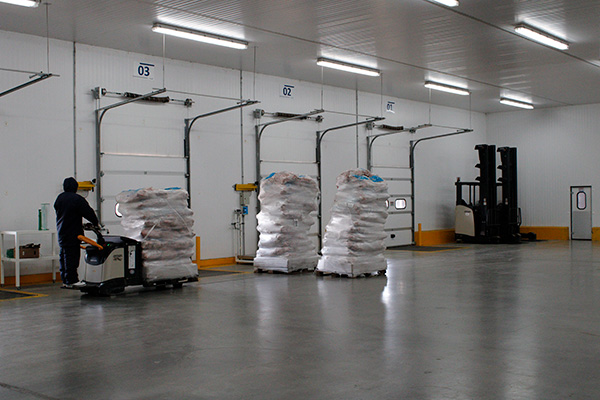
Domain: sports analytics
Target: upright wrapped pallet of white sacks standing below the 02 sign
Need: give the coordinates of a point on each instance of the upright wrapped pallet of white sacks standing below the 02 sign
(288, 203)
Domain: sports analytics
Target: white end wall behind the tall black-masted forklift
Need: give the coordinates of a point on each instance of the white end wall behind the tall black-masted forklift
(556, 149)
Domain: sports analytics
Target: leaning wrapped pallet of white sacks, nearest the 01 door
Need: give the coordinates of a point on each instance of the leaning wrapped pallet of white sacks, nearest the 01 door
(354, 237)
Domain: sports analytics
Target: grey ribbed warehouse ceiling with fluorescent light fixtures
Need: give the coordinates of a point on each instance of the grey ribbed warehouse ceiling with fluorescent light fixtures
(473, 45)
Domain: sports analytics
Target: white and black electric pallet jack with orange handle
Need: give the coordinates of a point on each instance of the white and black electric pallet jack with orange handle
(114, 262)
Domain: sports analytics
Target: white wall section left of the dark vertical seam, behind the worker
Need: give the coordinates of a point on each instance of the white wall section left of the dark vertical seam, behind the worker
(36, 129)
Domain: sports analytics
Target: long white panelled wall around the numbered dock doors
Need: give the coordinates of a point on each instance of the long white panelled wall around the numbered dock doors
(37, 135)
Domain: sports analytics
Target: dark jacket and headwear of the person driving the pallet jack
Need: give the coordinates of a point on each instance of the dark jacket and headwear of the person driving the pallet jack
(70, 209)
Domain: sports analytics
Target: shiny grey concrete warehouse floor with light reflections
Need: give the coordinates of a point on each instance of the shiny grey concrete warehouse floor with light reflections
(481, 322)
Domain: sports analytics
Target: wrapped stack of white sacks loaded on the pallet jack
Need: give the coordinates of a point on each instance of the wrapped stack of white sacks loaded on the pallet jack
(163, 222)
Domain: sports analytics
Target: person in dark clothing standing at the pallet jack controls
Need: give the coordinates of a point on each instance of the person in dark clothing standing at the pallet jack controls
(70, 209)
